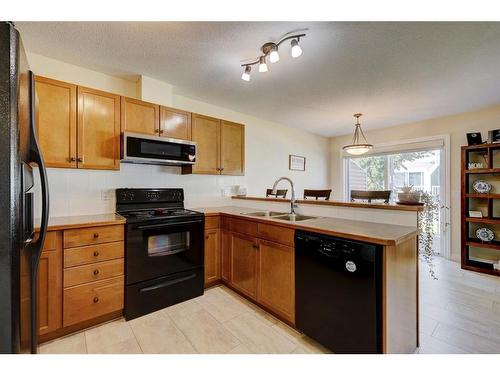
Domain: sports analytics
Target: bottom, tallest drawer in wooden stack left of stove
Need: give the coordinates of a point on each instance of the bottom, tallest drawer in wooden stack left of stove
(92, 300)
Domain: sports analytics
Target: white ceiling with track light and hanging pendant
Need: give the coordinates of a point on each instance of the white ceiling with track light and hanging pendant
(394, 73)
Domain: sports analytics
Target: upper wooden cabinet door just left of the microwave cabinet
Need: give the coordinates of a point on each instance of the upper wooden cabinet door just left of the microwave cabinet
(98, 129)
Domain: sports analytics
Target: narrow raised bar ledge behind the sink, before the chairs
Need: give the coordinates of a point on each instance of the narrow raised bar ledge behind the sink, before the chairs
(380, 206)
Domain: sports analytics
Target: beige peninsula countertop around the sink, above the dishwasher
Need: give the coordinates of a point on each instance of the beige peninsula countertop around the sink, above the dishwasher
(383, 234)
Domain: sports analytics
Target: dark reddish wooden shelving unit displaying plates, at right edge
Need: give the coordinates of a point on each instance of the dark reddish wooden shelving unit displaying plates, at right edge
(489, 155)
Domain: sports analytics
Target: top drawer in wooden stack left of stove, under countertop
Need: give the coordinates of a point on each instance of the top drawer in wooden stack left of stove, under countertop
(93, 235)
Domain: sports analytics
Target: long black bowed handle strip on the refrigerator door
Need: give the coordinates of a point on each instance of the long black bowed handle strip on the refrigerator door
(36, 247)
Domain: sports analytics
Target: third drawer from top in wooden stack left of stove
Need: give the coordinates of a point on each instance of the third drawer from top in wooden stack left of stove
(92, 272)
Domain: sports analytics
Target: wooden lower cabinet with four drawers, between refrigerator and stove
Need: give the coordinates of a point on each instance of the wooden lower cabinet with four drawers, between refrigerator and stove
(79, 286)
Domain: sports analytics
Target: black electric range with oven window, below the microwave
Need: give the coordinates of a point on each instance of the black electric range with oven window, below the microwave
(164, 249)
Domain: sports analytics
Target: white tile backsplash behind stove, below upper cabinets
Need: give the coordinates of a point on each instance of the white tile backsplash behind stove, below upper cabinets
(82, 192)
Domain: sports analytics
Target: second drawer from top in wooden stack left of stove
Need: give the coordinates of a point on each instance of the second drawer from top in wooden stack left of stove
(78, 256)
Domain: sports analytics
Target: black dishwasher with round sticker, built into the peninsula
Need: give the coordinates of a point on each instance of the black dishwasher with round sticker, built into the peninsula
(338, 286)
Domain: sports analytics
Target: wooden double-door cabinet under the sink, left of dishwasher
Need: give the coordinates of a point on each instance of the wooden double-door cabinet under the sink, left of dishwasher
(262, 270)
